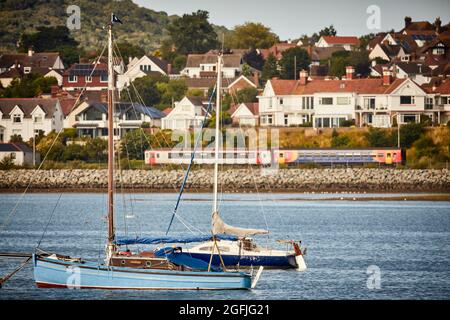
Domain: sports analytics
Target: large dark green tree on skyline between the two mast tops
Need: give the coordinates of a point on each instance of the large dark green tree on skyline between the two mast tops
(192, 33)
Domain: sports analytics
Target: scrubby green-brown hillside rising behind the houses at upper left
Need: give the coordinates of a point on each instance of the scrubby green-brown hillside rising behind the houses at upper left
(141, 26)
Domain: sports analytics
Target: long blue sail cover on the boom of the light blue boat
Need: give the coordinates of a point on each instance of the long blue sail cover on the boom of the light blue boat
(121, 241)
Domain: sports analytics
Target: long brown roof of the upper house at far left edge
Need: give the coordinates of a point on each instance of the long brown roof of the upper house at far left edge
(38, 59)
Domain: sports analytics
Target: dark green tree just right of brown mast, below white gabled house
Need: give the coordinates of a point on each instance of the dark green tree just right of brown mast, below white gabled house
(144, 88)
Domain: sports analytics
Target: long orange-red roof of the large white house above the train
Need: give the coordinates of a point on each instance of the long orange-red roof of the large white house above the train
(360, 86)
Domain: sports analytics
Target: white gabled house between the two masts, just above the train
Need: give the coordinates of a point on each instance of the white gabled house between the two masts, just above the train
(187, 114)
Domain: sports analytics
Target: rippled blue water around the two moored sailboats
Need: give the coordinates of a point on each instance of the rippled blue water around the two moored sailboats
(408, 240)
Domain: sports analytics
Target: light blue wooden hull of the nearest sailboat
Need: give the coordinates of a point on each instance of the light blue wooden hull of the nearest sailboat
(52, 273)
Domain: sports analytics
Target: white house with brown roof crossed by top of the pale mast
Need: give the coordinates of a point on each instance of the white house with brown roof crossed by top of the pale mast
(205, 65)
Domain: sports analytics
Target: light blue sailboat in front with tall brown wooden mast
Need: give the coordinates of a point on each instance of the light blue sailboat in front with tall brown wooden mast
(165, 269)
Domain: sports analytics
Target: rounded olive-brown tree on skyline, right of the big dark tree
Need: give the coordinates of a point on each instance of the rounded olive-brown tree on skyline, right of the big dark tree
(251, 35)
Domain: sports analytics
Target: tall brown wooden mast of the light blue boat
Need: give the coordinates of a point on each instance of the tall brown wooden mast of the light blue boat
(110, 141)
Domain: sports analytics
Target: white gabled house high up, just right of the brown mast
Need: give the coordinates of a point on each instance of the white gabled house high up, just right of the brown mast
(138, 68)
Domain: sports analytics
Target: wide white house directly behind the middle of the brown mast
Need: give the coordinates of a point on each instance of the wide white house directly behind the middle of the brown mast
(92, 119)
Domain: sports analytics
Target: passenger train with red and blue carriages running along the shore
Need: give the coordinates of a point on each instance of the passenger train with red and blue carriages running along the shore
(325, 156)
